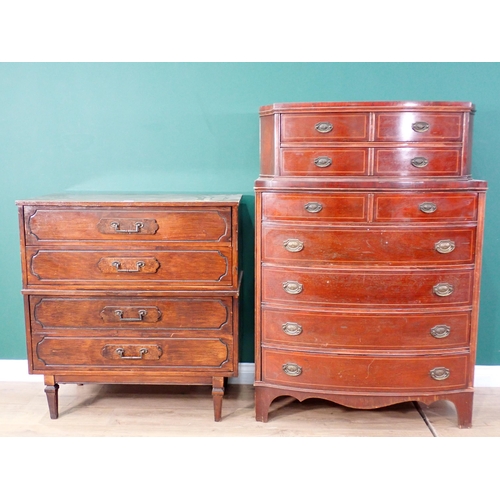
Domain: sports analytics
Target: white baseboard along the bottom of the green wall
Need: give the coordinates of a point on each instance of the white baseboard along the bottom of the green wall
(17, 371)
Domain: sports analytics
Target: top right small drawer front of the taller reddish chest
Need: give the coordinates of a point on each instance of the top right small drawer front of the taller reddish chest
(418, 127)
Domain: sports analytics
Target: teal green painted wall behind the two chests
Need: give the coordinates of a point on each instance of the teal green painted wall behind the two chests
(189, 127)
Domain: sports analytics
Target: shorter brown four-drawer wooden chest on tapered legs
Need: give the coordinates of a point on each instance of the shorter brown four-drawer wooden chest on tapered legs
(139, 289)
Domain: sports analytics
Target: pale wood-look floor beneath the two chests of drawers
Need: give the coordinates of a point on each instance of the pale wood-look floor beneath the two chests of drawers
(168, 411)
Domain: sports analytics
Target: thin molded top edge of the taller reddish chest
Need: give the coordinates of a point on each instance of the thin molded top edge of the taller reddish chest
(367, 106)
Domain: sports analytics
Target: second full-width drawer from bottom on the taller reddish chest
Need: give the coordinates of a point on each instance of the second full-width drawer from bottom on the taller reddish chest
(402, 331)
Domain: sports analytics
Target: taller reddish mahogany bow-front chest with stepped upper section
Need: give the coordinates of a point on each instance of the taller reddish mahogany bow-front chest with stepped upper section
(369, 234)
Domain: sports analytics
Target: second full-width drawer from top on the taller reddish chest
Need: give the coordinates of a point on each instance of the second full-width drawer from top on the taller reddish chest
(363, 288)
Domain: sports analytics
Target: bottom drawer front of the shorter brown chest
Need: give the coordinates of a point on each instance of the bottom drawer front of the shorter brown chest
(52, 351)
